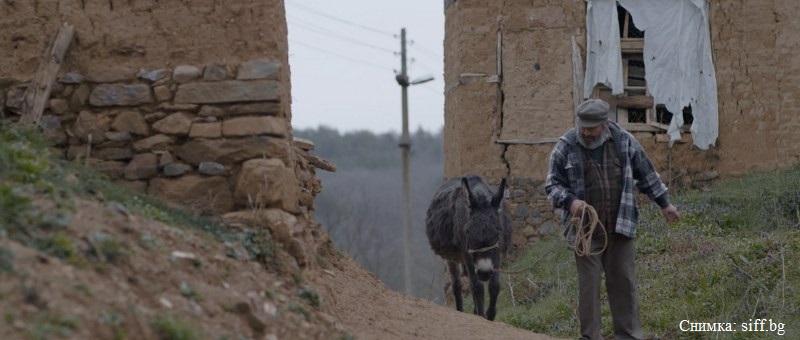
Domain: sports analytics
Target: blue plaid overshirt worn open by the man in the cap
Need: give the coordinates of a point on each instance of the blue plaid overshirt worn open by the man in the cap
(565, 181)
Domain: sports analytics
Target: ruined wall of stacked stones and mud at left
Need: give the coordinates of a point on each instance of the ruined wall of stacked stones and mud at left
(185, 100)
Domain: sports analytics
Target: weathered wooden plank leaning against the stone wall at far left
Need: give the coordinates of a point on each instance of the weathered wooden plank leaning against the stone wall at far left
(37, 94)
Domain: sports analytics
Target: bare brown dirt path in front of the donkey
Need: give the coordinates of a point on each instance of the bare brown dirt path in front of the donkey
(369, 310)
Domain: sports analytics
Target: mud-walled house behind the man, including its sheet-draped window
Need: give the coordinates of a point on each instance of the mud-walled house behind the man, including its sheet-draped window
(515, 71)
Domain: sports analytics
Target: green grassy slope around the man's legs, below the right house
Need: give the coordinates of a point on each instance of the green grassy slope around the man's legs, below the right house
(732, 258)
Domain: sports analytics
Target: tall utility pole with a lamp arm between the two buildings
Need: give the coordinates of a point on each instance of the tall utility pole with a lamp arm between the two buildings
(405, 147)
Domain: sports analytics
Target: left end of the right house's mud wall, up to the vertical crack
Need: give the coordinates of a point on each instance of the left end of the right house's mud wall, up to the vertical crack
(472, 116)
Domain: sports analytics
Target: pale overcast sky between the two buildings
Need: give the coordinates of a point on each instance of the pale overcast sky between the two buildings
(343, 56)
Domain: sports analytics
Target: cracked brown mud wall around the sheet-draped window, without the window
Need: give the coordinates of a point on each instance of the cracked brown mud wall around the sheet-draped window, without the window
(528, 102)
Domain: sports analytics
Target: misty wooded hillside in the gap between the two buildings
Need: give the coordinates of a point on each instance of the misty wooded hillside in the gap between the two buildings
(361, 204)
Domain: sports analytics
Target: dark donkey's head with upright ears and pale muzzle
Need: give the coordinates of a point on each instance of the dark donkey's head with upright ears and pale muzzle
(484, 228)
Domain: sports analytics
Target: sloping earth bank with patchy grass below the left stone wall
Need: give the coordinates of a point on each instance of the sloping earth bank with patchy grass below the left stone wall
(83, 258)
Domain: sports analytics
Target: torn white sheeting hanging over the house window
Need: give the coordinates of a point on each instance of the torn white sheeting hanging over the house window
(677, 57)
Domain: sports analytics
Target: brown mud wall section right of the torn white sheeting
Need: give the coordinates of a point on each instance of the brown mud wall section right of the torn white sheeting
(758, 75)
